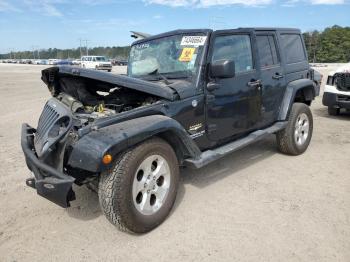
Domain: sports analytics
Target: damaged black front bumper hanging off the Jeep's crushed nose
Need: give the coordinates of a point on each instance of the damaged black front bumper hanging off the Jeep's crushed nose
(48, 182)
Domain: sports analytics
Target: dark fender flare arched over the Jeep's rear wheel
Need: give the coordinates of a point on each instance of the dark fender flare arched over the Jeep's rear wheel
(307, 86)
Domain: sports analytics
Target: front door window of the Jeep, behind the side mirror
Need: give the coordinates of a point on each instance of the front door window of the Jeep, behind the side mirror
(236, 48)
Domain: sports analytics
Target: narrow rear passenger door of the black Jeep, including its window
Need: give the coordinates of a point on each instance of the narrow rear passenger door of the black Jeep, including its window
(272, 75)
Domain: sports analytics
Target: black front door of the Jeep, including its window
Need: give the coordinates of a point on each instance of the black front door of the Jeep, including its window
(234, 105)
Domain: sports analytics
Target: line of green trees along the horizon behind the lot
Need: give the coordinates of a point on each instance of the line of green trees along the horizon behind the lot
(331, 45)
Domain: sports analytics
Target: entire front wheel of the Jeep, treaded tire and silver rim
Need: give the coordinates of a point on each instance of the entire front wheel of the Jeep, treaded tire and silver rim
(138, 194)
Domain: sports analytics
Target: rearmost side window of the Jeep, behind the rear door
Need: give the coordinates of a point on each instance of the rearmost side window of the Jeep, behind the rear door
(293, 48)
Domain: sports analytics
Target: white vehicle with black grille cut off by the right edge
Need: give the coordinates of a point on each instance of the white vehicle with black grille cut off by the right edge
(337, 90)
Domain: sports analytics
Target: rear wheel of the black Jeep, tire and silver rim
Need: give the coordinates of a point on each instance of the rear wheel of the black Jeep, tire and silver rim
(295, 138)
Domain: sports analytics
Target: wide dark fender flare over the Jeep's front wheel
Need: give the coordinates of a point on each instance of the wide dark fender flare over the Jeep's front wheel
(87, 152)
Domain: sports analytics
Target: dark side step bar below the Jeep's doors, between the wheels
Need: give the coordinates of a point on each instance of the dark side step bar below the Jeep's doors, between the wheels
(211, 155)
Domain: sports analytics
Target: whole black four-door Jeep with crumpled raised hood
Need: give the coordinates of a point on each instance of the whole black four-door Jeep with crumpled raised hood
(189, 98)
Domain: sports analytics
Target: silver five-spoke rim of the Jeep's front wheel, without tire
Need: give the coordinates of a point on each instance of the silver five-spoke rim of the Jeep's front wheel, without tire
(151, 184)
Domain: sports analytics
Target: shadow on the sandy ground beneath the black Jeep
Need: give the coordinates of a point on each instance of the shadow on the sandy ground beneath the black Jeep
(86, 206)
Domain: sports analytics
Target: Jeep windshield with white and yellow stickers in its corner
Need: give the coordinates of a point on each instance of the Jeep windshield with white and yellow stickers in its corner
(175, 56)
